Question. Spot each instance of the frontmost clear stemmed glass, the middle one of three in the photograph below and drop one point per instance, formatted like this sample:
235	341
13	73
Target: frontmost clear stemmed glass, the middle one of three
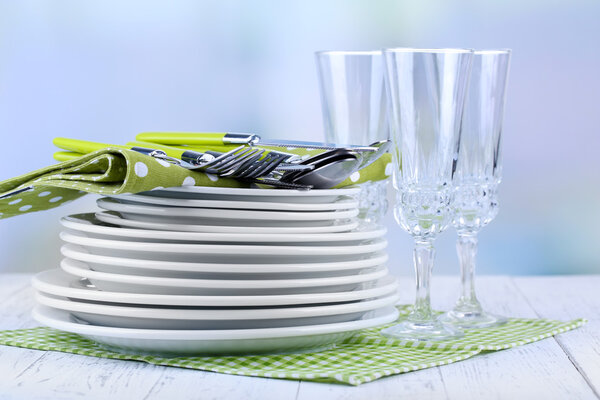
426	88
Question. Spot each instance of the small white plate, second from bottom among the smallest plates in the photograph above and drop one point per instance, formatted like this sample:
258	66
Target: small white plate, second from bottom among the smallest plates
225	216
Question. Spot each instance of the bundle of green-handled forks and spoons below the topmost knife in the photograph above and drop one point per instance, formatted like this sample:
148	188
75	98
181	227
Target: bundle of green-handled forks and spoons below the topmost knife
253	164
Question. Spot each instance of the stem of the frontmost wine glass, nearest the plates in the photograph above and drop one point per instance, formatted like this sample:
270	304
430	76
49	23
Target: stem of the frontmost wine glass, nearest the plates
423	258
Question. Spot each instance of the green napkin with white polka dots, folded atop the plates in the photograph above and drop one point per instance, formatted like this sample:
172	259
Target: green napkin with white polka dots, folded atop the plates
118	171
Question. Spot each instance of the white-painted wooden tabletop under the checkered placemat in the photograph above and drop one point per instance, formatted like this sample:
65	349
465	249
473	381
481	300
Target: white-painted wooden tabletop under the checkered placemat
565	367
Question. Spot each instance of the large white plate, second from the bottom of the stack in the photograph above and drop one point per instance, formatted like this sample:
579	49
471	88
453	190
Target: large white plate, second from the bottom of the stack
155	317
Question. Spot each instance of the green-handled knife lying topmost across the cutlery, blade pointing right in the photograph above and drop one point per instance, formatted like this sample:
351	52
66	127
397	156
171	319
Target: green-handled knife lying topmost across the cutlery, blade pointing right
225	138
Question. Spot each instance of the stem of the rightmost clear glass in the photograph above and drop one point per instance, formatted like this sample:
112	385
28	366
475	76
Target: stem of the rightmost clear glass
466	246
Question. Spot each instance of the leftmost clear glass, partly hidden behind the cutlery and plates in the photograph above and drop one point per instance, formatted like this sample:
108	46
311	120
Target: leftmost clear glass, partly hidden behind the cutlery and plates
354	108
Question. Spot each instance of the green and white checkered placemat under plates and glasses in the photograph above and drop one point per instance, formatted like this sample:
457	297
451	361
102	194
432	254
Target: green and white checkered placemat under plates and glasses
363	358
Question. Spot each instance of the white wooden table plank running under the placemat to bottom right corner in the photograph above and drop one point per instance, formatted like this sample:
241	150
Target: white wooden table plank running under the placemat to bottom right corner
539	370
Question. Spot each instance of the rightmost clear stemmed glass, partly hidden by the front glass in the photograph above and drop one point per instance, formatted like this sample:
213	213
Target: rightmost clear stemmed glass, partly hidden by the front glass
477	176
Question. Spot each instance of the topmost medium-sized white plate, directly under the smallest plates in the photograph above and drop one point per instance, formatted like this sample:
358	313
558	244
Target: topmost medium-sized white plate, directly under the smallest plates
92	227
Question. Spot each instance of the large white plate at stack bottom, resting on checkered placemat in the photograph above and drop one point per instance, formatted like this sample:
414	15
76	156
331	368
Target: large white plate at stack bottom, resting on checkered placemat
234	341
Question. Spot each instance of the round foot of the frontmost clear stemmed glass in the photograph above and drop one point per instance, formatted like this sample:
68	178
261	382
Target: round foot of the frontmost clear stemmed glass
421	331
